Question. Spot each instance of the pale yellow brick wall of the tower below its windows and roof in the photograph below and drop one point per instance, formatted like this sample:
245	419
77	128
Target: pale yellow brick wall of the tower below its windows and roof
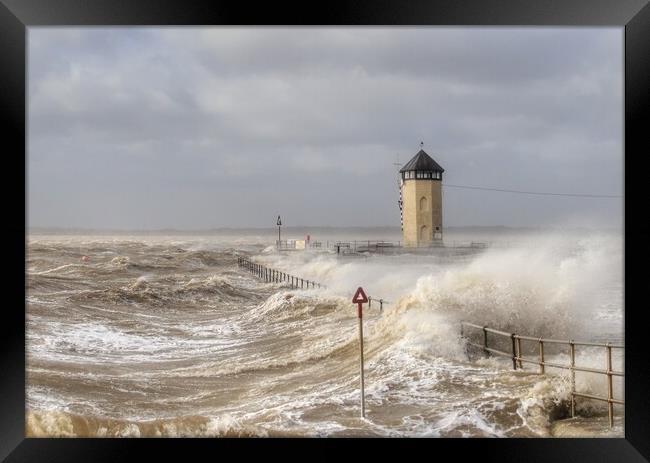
418	212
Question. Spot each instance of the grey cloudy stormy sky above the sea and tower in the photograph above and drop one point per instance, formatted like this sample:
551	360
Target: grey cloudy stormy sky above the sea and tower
195	128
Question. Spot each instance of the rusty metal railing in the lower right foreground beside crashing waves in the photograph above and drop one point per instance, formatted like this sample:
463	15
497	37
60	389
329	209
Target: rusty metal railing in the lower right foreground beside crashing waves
517	359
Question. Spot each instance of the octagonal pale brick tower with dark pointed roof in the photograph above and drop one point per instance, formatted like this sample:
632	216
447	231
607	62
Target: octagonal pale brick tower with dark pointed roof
421	200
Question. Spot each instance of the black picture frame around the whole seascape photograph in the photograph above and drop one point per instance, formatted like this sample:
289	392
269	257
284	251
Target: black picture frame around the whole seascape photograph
17	15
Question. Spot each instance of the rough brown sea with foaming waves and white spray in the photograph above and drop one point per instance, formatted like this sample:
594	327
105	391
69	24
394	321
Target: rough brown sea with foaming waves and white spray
168	337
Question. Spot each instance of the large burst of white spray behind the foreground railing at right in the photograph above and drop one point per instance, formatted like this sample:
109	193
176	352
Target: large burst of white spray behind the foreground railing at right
543	289
